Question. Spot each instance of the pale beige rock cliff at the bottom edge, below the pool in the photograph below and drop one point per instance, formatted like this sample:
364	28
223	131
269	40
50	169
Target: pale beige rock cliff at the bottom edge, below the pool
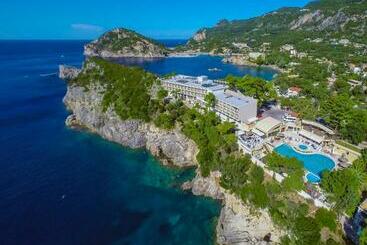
237	223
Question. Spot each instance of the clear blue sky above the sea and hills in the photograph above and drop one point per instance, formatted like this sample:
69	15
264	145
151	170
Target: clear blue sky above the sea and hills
87	19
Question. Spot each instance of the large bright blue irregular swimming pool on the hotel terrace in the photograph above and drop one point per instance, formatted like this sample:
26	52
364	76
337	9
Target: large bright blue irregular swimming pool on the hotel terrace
314	163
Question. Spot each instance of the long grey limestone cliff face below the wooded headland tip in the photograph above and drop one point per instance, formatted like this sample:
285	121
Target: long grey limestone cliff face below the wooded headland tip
171	147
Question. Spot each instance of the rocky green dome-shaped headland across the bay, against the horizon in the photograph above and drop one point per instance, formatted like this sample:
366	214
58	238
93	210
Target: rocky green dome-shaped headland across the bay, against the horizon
124	43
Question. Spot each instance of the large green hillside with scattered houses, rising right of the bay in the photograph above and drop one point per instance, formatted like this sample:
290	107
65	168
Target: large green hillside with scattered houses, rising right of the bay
322	50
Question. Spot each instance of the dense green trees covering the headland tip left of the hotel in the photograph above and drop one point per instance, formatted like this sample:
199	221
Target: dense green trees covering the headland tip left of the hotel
127	89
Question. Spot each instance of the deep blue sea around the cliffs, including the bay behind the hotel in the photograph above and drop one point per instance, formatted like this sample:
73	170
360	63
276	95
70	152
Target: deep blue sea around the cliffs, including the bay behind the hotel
62	186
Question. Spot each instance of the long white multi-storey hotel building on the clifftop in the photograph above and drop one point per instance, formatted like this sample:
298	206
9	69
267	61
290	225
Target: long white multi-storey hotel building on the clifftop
229	104
